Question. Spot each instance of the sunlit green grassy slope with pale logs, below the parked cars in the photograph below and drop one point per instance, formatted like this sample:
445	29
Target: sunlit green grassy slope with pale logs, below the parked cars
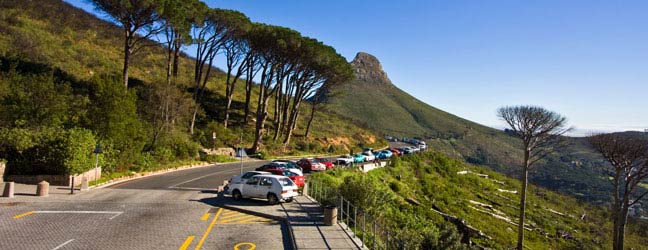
432	180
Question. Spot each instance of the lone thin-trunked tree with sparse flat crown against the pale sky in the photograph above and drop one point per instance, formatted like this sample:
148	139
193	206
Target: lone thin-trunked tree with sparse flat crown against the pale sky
539	130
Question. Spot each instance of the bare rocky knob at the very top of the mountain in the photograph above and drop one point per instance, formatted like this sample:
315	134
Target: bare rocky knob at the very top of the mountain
368	68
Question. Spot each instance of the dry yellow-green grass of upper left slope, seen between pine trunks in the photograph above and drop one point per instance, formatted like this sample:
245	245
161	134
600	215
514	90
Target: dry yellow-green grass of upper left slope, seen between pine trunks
55	33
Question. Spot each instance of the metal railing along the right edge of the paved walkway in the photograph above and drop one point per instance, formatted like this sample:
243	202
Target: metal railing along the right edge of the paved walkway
362	225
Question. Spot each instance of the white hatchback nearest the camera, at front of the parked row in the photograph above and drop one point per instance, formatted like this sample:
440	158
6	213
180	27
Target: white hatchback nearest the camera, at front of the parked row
275	188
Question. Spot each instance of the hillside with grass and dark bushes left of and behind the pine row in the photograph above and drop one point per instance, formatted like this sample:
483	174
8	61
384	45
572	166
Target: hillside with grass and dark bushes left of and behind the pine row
78	56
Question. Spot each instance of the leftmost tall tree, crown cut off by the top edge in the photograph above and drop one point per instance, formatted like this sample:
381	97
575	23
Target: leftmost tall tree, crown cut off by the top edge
138	19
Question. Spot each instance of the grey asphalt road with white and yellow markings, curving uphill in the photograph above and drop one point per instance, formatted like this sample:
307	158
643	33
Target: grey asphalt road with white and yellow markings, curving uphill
171	211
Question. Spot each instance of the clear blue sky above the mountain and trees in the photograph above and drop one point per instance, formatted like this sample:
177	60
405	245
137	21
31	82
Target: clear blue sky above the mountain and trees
587	60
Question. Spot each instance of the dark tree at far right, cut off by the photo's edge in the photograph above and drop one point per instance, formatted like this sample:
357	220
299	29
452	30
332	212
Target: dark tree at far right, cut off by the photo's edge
628	158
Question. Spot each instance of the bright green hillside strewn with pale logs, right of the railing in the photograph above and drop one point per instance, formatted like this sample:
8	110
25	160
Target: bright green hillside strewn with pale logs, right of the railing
404	194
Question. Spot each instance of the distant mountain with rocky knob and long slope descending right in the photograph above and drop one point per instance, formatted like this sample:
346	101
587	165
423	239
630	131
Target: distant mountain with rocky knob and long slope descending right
372	99
